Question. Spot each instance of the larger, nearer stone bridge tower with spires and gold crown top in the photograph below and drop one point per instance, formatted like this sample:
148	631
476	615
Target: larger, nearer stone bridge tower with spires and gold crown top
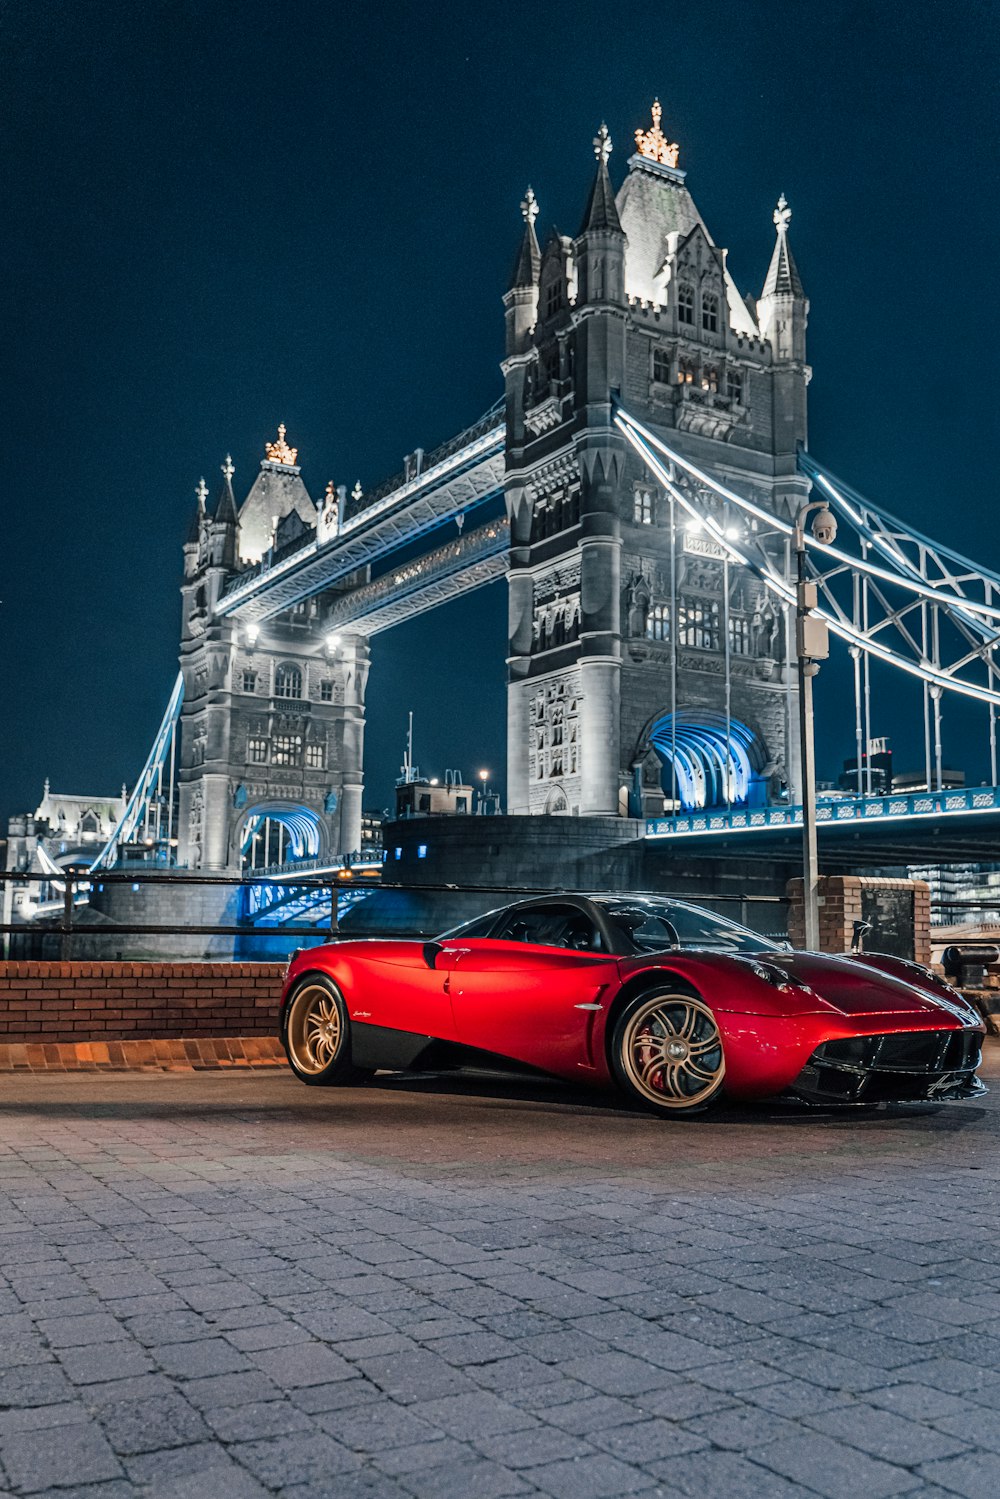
645	669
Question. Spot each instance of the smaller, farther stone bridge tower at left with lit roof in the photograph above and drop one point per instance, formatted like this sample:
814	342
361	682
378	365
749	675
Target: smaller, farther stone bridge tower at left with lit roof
274	716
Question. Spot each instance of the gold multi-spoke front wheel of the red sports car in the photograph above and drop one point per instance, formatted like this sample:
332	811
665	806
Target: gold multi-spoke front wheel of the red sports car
672	1052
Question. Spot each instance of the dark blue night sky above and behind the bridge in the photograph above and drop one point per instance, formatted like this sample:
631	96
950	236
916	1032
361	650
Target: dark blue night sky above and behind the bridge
221	217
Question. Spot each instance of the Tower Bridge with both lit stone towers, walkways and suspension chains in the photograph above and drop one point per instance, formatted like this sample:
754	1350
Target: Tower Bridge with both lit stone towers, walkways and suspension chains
638	485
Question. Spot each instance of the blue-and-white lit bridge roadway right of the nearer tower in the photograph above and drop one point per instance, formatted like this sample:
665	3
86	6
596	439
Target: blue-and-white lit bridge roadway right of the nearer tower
954	827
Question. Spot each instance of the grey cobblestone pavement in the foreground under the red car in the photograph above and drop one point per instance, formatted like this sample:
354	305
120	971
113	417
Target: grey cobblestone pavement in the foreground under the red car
232	1287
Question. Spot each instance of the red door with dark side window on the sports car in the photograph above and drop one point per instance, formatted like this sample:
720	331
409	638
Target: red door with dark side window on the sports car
533	990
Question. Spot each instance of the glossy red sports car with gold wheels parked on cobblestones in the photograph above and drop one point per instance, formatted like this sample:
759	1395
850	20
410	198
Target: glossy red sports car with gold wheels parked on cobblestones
671	1004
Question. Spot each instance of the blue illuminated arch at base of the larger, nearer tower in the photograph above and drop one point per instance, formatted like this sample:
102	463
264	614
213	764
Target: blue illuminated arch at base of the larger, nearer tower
716	764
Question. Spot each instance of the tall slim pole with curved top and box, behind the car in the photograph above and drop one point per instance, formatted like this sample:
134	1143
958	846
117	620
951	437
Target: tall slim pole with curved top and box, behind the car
812	645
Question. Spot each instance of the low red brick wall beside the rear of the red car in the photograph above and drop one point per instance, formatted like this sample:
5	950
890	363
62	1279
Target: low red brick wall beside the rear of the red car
110	1002
